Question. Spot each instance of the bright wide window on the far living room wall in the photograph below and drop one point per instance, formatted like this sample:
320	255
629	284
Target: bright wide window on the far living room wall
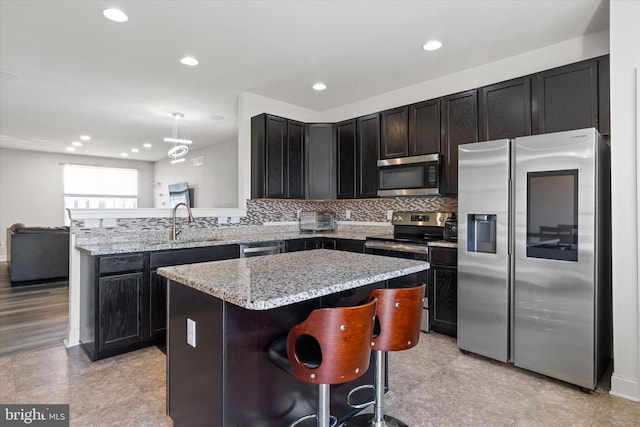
93	187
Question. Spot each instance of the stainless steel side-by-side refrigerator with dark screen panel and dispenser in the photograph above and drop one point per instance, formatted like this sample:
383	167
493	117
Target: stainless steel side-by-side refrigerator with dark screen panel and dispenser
534	253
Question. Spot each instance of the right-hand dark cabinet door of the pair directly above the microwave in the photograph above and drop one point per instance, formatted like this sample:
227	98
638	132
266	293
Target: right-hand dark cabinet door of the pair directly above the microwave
424	128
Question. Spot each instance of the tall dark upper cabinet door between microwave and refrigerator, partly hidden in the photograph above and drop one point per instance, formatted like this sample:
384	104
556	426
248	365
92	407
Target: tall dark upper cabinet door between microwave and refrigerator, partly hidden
459	126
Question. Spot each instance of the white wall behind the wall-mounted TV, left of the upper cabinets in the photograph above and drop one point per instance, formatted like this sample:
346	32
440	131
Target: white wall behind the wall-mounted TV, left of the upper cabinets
215	183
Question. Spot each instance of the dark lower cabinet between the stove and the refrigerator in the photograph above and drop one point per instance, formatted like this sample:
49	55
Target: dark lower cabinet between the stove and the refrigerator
443	290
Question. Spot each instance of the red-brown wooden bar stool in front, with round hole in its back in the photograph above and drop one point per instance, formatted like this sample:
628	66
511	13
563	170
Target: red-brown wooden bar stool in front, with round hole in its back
332	346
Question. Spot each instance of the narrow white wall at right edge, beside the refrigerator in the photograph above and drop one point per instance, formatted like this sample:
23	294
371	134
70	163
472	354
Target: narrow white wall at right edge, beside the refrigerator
625	183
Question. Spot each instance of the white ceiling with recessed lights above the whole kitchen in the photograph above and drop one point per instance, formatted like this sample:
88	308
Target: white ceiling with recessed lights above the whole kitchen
79	73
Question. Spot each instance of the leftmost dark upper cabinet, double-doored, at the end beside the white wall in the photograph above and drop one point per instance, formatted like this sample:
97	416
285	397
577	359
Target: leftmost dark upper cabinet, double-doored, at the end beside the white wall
277	157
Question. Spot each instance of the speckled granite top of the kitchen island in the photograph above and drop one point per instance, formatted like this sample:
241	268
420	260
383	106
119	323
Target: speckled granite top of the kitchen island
271	281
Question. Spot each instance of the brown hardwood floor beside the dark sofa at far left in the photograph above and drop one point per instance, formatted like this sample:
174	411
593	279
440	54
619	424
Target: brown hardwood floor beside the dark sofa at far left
32	316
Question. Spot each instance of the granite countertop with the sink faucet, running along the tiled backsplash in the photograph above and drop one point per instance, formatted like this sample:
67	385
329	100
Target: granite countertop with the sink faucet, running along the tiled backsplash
145	246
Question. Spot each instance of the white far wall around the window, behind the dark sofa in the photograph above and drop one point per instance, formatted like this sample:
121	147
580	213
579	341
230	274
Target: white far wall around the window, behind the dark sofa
31	187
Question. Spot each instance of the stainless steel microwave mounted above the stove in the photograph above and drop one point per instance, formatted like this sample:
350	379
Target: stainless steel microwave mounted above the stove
410	176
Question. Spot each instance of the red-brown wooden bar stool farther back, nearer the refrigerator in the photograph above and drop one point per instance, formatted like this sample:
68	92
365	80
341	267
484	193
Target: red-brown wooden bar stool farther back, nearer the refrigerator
398	320
